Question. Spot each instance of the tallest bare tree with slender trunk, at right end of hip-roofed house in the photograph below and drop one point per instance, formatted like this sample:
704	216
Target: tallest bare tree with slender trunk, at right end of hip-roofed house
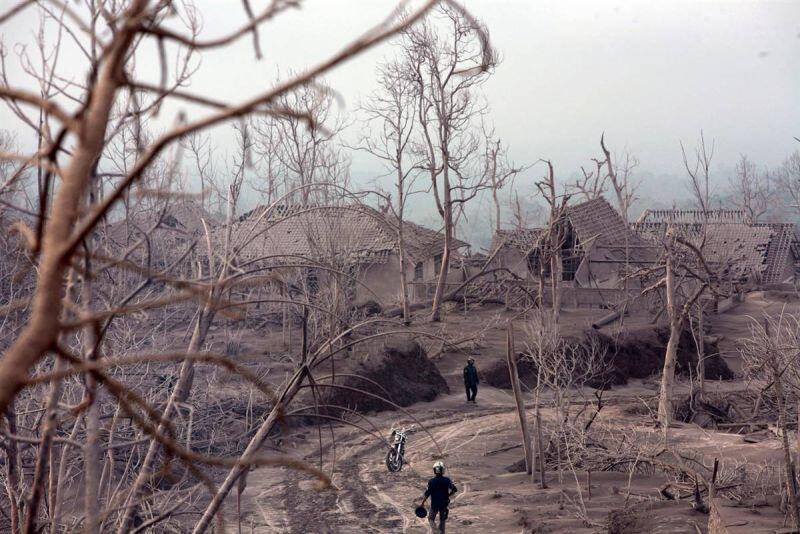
447	66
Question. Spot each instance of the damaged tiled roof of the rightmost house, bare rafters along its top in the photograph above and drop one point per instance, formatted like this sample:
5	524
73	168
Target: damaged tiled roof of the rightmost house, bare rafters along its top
755	254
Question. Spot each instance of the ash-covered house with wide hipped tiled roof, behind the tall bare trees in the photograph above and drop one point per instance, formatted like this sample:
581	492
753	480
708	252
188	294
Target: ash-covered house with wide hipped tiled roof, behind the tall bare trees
316	244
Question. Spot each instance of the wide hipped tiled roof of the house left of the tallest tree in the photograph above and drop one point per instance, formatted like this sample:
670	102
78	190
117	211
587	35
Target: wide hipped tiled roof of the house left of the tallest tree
326	232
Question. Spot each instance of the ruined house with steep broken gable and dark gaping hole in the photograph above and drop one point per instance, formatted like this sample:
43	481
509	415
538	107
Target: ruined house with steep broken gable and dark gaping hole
597	248
